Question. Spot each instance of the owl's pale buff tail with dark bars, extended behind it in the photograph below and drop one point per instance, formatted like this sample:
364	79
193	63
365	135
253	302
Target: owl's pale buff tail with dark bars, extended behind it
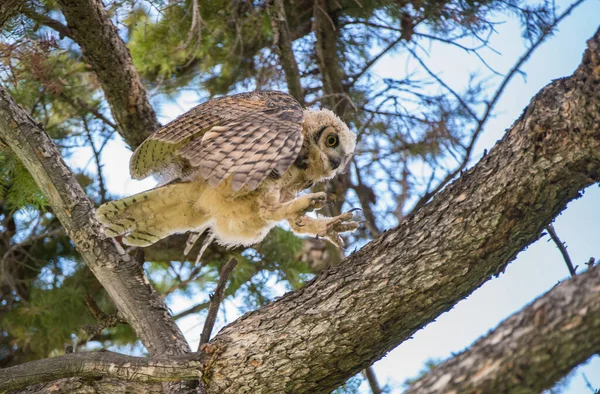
150	216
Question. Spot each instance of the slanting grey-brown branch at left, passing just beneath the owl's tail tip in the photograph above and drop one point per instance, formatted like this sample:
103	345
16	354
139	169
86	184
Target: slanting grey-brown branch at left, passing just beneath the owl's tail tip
121	276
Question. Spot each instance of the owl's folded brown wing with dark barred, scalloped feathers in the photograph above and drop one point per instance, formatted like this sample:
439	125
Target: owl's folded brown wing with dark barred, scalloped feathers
247	135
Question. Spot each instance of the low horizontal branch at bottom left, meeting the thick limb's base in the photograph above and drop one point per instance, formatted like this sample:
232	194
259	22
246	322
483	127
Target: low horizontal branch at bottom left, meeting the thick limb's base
104	364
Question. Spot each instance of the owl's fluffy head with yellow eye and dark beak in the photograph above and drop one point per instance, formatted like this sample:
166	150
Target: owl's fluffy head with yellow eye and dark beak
328	144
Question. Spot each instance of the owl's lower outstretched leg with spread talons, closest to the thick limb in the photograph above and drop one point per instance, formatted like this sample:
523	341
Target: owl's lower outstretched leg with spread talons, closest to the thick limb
329	228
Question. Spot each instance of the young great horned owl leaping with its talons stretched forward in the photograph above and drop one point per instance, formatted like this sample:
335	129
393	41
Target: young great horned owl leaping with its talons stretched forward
234	166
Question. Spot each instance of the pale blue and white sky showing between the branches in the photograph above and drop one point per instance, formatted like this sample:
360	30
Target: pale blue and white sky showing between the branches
535	271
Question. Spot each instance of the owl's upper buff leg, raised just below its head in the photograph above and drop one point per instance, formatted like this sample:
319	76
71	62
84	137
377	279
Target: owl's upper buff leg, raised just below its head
274	210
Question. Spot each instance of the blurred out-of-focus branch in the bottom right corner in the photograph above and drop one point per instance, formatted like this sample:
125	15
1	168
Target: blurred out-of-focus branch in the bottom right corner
532	349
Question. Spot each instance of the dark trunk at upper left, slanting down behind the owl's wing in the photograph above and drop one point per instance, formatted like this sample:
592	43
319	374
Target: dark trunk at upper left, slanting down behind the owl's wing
102	47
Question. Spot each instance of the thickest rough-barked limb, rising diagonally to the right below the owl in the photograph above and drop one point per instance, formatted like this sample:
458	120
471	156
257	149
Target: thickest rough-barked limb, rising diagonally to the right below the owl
313	339
